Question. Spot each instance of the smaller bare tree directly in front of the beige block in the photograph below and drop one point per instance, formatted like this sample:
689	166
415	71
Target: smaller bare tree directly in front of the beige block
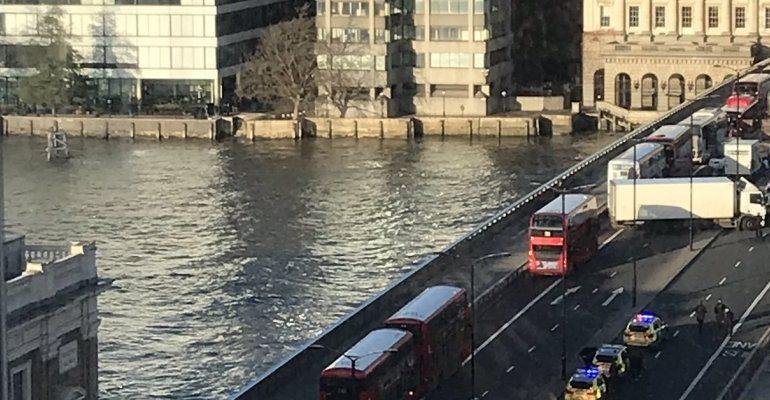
343	75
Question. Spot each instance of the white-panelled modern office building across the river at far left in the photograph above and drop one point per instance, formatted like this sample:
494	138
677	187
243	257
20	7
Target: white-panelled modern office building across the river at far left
152	52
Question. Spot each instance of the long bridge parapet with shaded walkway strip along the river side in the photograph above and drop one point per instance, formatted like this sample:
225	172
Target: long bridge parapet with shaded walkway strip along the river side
356	324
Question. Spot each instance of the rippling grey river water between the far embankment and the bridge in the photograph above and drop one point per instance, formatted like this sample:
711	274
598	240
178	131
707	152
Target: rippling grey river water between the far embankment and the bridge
228	256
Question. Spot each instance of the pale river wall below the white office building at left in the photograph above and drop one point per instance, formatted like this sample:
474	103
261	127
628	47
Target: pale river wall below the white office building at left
112	128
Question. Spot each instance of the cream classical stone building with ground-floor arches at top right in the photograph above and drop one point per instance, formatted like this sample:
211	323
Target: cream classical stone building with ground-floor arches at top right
654	54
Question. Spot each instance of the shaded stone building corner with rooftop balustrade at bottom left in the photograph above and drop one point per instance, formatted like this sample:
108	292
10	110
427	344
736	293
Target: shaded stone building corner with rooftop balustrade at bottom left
52	321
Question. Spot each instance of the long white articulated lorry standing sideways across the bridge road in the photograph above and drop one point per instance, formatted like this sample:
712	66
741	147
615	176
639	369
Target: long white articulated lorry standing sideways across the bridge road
718	198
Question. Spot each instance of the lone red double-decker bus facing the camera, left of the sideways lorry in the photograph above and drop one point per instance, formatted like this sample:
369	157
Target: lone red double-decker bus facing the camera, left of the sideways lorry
563	233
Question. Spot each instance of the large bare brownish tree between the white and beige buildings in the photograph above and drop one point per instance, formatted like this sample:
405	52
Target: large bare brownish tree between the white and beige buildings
284	65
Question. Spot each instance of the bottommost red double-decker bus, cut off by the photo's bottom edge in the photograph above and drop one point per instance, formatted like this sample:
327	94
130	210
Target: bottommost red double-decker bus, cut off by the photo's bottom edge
382	366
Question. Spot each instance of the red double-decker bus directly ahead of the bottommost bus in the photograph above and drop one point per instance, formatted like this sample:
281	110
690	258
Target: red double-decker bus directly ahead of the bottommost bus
440	322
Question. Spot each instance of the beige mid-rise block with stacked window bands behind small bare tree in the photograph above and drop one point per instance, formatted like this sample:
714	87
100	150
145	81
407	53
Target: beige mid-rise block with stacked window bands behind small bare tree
424	57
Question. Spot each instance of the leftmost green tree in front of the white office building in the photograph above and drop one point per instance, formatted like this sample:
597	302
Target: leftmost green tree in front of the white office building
57	80
